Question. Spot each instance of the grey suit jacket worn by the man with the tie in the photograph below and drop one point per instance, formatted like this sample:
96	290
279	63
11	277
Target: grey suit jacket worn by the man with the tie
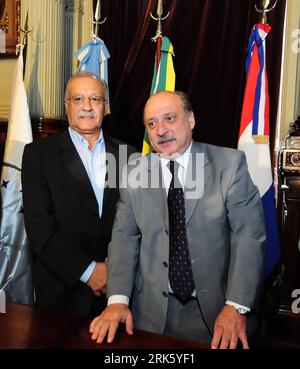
225	230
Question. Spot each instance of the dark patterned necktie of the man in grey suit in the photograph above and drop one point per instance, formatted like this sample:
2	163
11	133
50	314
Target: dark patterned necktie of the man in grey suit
180	268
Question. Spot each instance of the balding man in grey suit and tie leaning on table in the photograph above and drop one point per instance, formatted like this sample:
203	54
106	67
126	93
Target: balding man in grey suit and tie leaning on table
224	235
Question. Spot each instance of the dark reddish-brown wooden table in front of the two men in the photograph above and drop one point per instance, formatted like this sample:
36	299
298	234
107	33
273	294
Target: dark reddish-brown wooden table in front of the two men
27	327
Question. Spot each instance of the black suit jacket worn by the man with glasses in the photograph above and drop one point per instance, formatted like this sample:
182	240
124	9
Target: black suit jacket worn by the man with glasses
62	220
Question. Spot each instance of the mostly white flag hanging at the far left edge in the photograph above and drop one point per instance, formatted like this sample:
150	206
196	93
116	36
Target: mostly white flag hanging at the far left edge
15	256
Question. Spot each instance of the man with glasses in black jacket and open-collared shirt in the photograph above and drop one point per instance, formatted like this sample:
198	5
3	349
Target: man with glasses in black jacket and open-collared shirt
68	206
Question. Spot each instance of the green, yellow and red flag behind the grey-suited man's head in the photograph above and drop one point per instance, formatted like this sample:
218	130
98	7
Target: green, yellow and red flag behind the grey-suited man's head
163	76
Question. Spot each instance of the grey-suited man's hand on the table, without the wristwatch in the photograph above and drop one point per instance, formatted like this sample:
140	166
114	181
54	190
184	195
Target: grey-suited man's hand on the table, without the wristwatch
108	322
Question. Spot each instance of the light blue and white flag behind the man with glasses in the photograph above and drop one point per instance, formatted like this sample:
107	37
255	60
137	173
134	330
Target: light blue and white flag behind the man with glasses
93	57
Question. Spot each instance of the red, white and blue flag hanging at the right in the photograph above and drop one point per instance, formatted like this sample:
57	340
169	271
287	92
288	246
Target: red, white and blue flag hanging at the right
254	137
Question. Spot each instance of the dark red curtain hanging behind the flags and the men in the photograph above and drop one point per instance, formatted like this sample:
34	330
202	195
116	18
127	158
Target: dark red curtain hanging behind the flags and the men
210	40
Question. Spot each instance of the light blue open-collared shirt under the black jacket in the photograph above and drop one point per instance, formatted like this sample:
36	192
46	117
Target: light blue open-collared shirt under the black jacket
95	165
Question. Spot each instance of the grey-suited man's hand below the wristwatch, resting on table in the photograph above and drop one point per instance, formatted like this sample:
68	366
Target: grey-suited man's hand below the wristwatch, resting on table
230	326
